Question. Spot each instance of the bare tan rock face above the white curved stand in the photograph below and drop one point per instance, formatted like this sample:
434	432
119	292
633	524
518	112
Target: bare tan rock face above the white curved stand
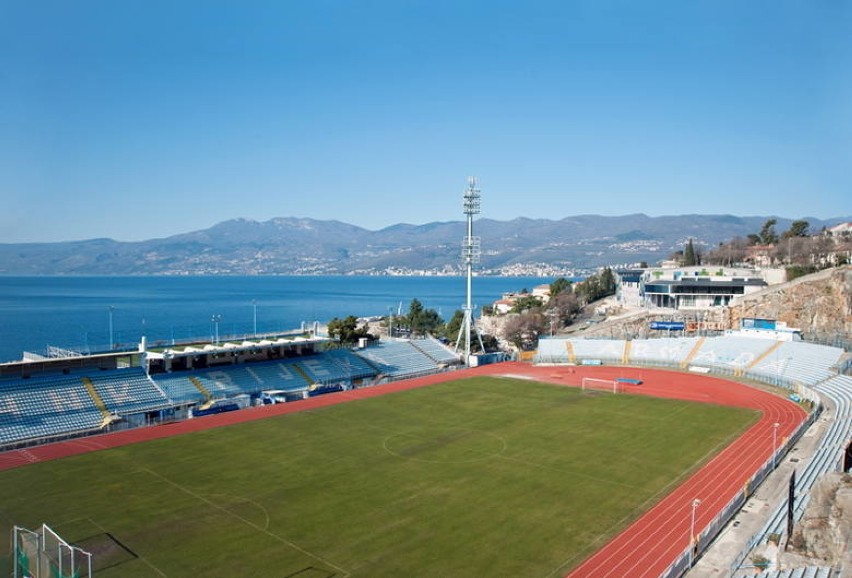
819	304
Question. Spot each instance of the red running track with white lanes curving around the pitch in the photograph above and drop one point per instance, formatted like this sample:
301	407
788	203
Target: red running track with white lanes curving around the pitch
645	548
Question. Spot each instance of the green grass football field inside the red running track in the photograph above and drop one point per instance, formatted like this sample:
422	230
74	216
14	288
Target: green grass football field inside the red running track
478	477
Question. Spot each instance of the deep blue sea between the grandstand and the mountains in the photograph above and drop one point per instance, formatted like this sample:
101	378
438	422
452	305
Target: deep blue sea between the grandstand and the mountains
81	313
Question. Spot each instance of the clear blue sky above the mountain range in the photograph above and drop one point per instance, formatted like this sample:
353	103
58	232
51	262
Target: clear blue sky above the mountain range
135	119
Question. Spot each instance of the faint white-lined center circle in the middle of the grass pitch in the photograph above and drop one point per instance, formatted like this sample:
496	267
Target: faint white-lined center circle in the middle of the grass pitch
446	446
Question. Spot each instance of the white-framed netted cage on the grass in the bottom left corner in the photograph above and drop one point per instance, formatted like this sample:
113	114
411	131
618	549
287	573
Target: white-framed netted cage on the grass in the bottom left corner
44	554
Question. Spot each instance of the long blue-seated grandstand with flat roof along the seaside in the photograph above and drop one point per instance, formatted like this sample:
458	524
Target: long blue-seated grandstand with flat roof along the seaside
82	399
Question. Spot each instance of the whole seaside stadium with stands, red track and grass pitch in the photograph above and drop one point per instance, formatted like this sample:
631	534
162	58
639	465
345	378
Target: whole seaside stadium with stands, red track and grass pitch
467	466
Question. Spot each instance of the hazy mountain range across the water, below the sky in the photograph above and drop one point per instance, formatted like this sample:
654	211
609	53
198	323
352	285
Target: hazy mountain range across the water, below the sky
308	246
